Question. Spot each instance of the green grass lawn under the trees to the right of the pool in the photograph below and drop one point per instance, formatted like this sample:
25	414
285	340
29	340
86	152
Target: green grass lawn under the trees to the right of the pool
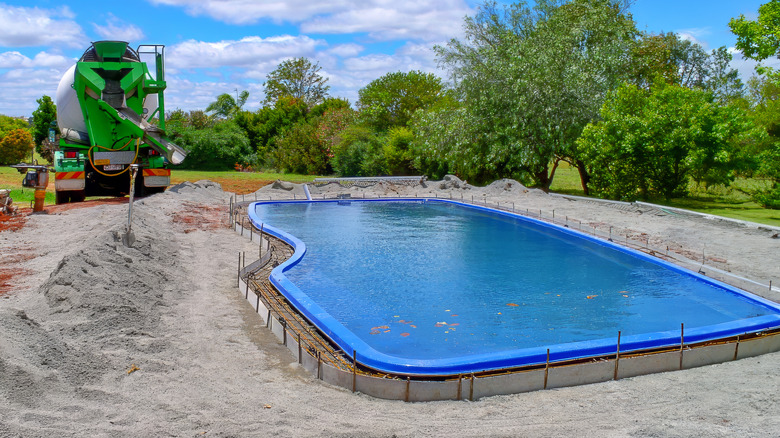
732	201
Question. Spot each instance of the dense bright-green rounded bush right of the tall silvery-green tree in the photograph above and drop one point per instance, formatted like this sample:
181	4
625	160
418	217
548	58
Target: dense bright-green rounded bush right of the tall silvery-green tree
651	143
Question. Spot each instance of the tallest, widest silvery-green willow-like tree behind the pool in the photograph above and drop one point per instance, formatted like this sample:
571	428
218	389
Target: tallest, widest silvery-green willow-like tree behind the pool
529	79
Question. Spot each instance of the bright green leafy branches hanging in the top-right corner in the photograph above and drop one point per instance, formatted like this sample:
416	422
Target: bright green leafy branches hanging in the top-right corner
759	39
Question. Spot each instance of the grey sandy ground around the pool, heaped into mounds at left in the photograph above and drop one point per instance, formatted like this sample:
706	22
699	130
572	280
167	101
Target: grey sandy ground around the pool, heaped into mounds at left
155	340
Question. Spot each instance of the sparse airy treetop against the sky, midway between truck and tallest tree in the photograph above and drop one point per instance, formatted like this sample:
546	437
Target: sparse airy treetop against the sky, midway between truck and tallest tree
297	78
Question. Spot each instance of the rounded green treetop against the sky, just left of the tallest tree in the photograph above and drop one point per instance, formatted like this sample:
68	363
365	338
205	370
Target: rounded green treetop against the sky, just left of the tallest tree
392	99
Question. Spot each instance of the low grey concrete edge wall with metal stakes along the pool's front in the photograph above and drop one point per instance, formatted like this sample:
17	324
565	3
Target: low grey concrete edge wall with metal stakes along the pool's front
468	387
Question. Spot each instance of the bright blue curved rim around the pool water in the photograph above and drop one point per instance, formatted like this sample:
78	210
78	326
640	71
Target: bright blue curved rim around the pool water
366	355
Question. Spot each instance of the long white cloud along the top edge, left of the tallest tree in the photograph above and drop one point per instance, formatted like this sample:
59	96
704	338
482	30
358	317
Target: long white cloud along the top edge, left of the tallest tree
383	20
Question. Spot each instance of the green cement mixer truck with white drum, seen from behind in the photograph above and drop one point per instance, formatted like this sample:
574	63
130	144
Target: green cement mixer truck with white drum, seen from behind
111	119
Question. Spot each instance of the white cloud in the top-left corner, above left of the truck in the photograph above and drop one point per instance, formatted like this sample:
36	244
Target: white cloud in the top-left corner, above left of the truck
30	27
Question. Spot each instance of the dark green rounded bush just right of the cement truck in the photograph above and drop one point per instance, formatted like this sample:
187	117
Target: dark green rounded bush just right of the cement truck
218	147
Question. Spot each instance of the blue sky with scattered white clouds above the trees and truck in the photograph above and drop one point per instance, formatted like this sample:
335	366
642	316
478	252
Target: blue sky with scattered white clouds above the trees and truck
219	46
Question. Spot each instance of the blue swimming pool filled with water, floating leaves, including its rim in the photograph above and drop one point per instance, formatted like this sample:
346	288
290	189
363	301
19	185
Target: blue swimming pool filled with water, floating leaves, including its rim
440	288
